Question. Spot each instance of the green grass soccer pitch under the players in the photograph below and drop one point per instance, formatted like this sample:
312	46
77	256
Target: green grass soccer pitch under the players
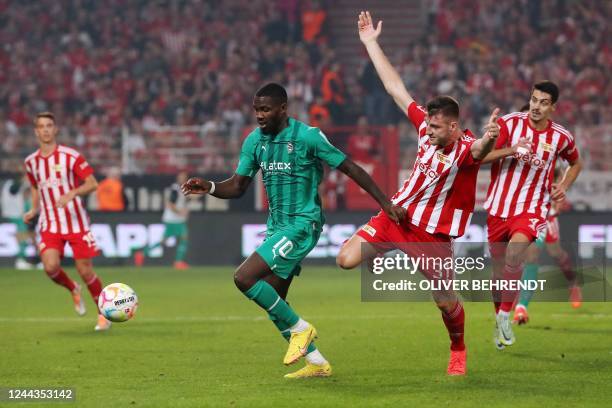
196	341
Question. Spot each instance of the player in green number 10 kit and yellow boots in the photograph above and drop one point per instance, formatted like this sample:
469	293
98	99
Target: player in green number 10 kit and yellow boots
290	155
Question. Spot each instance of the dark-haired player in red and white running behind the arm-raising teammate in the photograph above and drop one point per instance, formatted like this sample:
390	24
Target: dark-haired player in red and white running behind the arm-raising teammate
521	190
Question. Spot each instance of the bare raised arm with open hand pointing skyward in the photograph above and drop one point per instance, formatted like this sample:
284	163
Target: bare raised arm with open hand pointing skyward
388	75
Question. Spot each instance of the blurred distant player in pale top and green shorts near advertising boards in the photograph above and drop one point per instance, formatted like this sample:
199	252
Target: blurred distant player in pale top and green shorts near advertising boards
174	218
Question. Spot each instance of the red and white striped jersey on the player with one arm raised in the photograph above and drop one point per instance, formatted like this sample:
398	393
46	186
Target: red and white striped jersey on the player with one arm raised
440	192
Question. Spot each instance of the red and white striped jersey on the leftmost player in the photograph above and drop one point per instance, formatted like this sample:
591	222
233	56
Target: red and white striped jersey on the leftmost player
54	176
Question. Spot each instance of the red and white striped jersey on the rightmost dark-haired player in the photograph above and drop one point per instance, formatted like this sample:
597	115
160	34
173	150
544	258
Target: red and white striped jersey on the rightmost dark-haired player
522	183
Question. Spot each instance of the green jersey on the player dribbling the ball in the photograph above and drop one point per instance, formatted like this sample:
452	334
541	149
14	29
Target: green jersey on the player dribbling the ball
292	168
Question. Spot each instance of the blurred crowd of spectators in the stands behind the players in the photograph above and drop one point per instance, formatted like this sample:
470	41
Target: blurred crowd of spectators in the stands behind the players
102	66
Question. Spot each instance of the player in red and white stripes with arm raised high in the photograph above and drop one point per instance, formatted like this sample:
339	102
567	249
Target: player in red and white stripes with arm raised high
438	195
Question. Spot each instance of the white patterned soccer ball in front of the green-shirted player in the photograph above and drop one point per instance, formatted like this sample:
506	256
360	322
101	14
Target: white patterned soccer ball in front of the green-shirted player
118	302
